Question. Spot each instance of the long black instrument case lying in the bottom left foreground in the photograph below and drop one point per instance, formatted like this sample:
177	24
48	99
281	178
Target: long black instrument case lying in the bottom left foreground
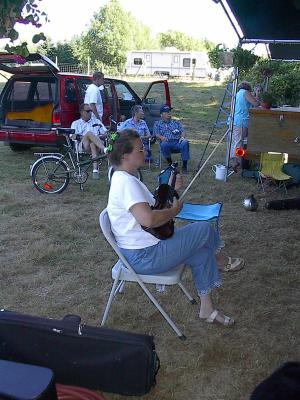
96	358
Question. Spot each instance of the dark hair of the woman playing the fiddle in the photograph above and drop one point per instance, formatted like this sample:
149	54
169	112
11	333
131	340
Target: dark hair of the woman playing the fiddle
122	145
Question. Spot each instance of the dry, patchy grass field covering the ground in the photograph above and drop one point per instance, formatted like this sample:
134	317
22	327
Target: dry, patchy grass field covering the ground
55	261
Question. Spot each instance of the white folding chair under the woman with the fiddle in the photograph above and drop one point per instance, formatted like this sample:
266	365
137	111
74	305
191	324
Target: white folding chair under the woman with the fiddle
123	272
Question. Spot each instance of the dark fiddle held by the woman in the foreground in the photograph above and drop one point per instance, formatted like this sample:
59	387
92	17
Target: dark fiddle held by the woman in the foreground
163	196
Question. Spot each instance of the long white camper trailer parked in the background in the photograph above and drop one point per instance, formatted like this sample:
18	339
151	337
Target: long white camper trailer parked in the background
173	63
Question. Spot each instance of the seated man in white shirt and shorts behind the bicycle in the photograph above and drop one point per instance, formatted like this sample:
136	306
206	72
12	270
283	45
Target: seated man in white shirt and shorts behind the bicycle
90	129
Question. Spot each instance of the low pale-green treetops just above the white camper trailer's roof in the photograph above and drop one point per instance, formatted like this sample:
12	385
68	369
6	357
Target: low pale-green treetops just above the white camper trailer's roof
182	41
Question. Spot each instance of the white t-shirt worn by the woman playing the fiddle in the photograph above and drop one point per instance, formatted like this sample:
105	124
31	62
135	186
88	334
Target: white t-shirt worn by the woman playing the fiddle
125	191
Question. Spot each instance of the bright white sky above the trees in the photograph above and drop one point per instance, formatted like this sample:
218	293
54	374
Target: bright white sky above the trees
198	18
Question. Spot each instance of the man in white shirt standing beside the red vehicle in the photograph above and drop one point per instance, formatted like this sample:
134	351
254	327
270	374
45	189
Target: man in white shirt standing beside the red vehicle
93	95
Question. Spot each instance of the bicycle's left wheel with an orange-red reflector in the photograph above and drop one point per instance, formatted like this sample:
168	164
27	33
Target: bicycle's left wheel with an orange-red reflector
50	175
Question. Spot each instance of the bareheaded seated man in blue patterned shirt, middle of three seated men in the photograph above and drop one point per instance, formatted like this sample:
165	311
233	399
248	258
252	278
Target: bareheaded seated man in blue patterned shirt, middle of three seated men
140	126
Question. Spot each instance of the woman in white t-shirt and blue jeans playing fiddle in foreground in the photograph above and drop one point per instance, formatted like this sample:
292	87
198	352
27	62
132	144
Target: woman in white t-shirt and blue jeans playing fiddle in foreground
129	208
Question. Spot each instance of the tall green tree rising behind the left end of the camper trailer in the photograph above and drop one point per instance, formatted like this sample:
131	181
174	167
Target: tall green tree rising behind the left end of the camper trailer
112	32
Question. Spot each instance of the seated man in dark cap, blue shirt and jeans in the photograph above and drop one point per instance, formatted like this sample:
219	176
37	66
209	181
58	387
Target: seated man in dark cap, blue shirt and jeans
172	138
